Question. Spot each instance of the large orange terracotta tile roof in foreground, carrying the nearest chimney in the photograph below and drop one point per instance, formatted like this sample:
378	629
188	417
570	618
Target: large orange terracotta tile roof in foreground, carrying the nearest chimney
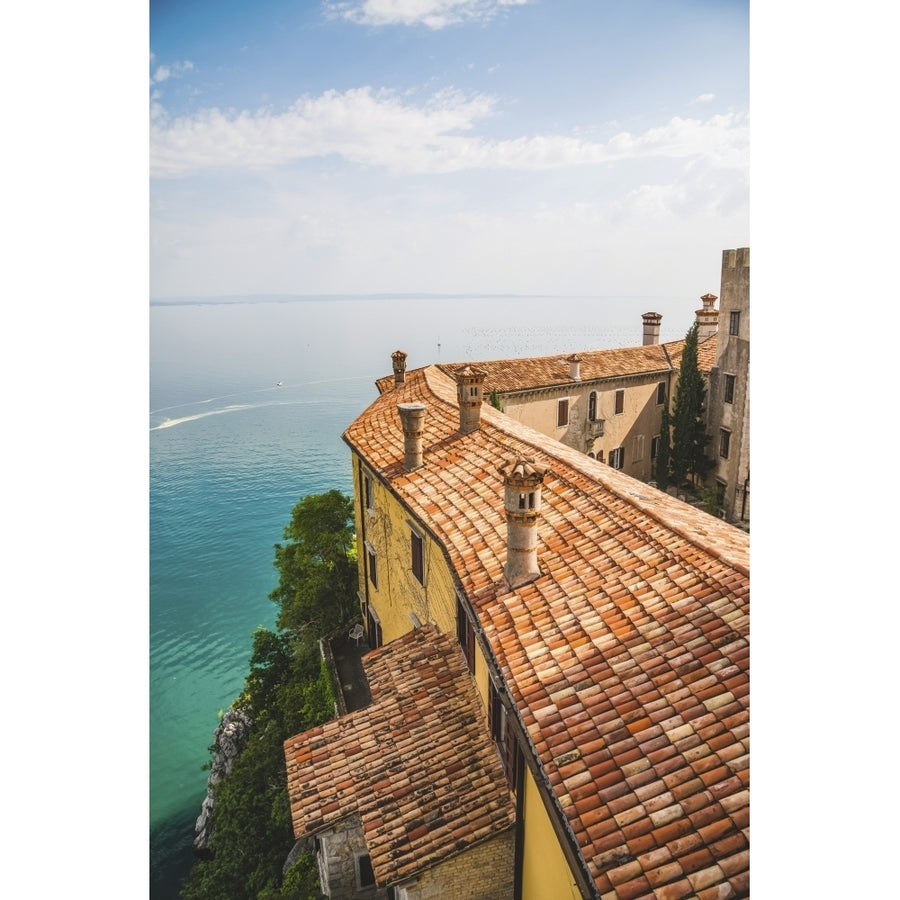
627	657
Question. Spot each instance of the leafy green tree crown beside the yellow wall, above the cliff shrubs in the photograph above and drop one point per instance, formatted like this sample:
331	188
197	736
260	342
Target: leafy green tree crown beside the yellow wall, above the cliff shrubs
317	585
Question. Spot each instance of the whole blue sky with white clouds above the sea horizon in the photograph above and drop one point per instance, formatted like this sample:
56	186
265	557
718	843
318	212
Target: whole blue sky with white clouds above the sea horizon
569	147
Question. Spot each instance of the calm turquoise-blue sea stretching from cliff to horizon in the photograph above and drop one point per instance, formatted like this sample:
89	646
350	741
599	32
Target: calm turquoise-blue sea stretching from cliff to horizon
249	397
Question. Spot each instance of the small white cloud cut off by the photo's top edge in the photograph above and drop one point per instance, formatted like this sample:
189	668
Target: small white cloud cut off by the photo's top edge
434	14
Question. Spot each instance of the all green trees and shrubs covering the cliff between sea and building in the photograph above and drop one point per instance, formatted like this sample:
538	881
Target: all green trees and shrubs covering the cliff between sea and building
287	691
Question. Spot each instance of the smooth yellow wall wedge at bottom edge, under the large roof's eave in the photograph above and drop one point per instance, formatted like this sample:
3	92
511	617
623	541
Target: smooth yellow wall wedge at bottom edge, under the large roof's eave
545	872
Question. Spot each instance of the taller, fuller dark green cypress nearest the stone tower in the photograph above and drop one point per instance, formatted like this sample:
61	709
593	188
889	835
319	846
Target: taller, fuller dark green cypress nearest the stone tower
689	437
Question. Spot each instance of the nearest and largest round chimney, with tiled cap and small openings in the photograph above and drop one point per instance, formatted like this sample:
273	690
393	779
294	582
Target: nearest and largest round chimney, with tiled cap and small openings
522	504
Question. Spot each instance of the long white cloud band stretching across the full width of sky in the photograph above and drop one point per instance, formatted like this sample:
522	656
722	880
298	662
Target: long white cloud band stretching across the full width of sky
375	128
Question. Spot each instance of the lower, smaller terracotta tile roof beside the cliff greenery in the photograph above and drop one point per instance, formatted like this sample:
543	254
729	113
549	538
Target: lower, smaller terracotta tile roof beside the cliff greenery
417	766
